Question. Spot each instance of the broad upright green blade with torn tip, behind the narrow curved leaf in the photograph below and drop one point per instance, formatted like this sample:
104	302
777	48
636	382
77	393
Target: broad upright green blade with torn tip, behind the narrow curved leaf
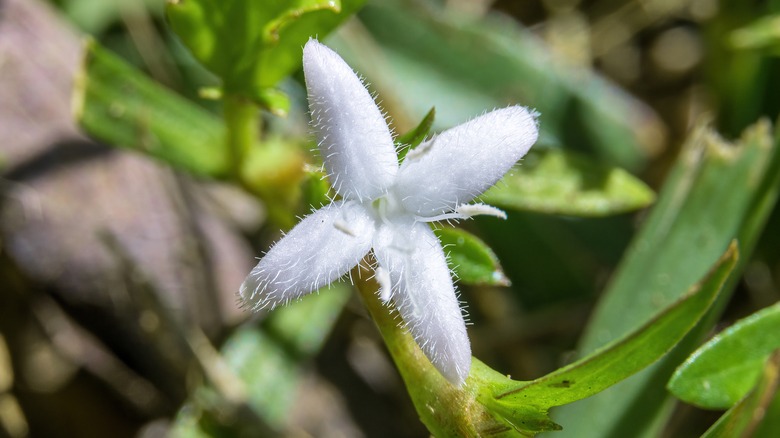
715	192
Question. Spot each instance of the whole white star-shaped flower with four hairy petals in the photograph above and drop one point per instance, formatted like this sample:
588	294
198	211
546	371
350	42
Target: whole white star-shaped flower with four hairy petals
384	207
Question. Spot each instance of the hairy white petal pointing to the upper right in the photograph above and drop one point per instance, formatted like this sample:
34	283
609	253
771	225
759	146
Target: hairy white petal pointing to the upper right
459	164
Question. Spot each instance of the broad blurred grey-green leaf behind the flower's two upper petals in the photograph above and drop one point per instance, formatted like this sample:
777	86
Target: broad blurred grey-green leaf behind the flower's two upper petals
492	62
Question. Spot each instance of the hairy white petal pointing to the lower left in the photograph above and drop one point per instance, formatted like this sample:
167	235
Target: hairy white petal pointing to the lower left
320	249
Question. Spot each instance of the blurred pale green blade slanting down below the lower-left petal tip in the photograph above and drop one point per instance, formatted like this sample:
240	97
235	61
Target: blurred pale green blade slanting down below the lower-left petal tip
263	370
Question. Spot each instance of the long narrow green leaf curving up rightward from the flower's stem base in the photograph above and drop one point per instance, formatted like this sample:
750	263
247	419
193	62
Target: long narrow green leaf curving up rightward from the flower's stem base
619	359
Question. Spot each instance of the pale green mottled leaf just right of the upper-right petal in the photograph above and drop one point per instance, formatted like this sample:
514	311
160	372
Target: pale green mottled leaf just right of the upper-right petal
562	182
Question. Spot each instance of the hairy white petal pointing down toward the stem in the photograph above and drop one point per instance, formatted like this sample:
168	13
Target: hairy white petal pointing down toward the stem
423	293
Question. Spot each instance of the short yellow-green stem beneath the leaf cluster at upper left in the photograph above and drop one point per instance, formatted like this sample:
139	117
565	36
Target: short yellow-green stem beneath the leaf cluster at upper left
243	131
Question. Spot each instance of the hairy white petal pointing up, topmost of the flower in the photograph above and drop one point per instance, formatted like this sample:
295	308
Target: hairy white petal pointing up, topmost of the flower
354	139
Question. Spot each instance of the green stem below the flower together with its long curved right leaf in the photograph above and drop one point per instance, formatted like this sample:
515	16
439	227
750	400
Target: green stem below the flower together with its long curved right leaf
491	404
